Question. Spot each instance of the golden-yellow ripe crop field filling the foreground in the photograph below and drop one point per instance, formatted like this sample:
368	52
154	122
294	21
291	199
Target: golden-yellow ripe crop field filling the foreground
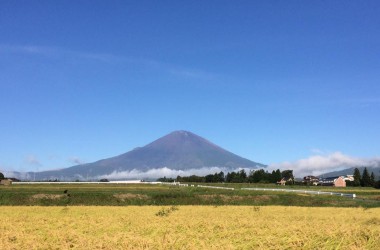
189	227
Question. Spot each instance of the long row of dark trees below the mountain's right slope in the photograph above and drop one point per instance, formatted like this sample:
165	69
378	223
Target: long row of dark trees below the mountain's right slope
257	176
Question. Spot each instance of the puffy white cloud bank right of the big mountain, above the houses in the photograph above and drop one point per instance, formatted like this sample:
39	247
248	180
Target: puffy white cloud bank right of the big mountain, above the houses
319	164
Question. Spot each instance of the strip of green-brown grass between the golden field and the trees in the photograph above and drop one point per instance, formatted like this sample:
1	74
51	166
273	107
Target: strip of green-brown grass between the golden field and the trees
146	194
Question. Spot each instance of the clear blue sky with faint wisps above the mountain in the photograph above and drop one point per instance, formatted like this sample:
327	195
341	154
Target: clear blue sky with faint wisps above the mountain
272	81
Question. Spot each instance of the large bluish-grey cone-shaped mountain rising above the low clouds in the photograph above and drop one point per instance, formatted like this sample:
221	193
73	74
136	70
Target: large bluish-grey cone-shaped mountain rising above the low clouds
179	150
